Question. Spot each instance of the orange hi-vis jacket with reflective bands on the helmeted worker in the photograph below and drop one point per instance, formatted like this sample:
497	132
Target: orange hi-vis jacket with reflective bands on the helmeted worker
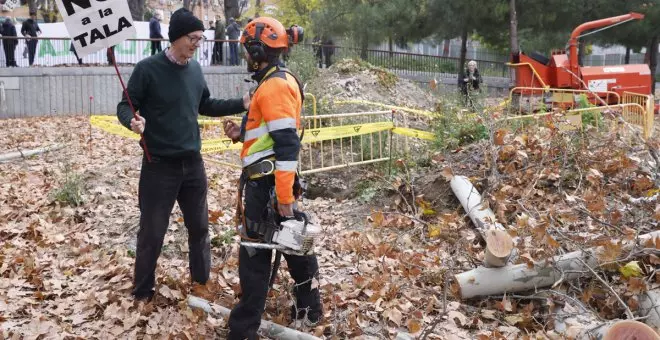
272	127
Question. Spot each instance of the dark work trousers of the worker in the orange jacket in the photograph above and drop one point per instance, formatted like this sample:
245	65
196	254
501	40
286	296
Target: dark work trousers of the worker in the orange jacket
254	272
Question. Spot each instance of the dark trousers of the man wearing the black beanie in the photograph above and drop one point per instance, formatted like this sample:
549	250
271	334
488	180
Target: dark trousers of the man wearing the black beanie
162	182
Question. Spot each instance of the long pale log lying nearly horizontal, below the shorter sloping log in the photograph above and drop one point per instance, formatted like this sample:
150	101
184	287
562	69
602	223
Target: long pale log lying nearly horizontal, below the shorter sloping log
483	281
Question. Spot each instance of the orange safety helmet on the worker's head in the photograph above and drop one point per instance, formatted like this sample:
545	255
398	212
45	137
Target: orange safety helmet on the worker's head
267	31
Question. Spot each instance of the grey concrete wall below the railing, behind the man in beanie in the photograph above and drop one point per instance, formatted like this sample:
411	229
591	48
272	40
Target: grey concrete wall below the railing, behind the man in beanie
31	92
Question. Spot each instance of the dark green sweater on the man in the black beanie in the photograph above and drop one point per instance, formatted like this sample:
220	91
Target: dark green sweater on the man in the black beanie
170	97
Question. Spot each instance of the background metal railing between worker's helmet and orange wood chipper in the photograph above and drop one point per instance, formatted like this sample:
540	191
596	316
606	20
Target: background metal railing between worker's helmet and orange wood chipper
409	63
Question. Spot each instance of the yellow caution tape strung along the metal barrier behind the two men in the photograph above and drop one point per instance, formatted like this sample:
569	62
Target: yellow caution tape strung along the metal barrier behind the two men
111	125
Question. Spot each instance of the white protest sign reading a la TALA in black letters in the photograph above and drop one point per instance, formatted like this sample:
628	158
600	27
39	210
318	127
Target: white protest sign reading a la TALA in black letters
96	24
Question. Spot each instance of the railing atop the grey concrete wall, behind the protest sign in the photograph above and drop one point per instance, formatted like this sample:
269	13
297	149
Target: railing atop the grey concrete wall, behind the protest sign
58	52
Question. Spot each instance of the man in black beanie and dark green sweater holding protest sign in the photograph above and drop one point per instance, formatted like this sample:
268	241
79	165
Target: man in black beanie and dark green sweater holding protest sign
169	90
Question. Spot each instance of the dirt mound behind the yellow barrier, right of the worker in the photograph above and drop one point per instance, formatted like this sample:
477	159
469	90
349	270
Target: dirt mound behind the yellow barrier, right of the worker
353	79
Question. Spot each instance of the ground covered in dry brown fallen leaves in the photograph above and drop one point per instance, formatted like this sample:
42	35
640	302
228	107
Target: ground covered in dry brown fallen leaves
68	221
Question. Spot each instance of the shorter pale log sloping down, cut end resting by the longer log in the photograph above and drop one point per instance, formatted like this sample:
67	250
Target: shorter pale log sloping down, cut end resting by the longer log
499	244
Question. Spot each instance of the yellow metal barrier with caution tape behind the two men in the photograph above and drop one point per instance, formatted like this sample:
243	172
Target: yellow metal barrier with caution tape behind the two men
330	142
